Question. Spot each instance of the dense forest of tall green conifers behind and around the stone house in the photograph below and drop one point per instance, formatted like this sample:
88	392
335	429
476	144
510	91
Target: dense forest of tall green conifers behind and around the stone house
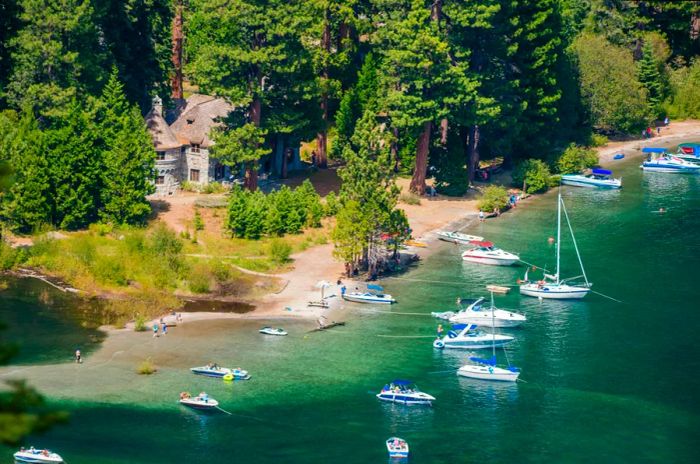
414	87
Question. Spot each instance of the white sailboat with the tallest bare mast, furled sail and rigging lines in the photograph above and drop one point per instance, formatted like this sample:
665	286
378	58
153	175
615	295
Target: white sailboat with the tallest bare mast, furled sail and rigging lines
552	286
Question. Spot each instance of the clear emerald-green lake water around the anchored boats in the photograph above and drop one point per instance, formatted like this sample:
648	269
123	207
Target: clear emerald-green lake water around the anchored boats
604	382
